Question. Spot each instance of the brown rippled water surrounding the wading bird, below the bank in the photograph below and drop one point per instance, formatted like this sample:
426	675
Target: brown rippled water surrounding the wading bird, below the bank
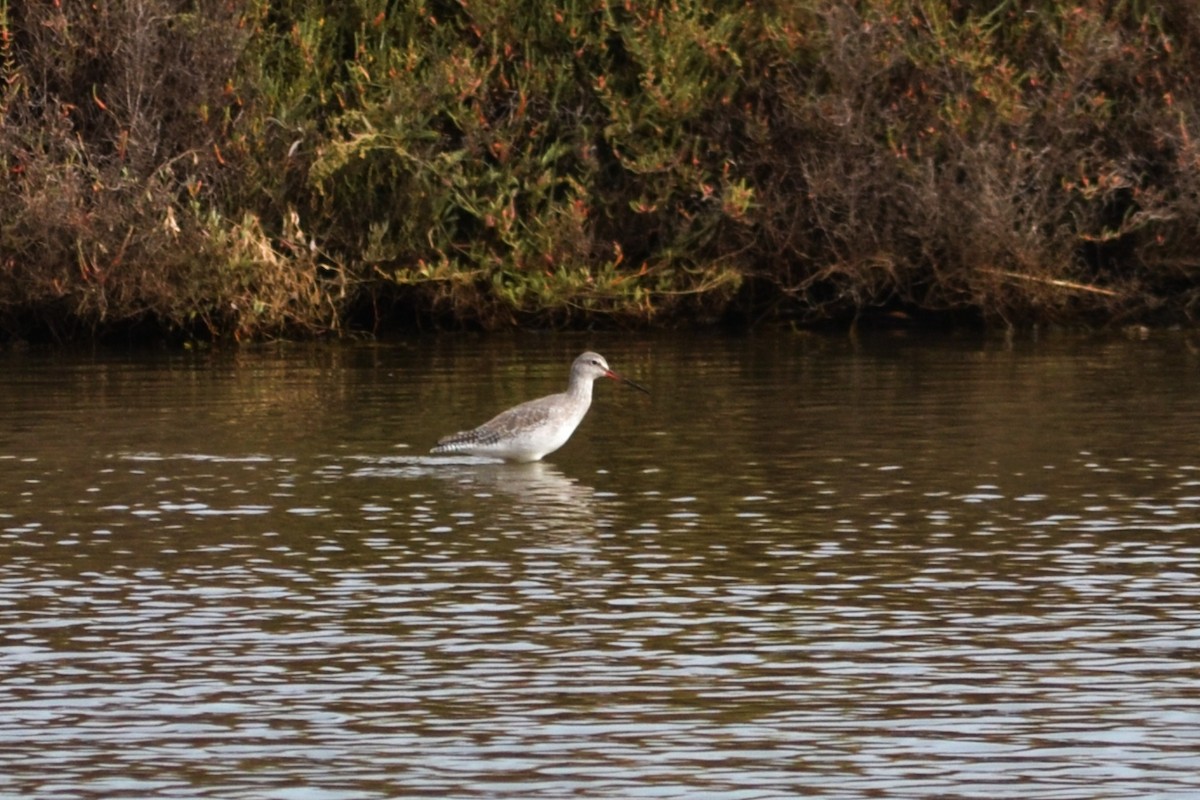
802	568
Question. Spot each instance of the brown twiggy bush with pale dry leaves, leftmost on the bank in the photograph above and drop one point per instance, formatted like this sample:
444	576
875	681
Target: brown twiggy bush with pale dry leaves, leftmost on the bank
122	152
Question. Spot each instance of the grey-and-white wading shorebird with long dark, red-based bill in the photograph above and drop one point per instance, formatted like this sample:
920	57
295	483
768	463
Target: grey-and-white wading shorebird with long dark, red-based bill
532	430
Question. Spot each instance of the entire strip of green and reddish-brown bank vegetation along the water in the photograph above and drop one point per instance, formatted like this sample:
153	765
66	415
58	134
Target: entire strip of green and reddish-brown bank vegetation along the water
291	167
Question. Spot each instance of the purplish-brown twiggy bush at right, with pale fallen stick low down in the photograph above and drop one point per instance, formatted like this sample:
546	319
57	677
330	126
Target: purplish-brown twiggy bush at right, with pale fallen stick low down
1033	161
